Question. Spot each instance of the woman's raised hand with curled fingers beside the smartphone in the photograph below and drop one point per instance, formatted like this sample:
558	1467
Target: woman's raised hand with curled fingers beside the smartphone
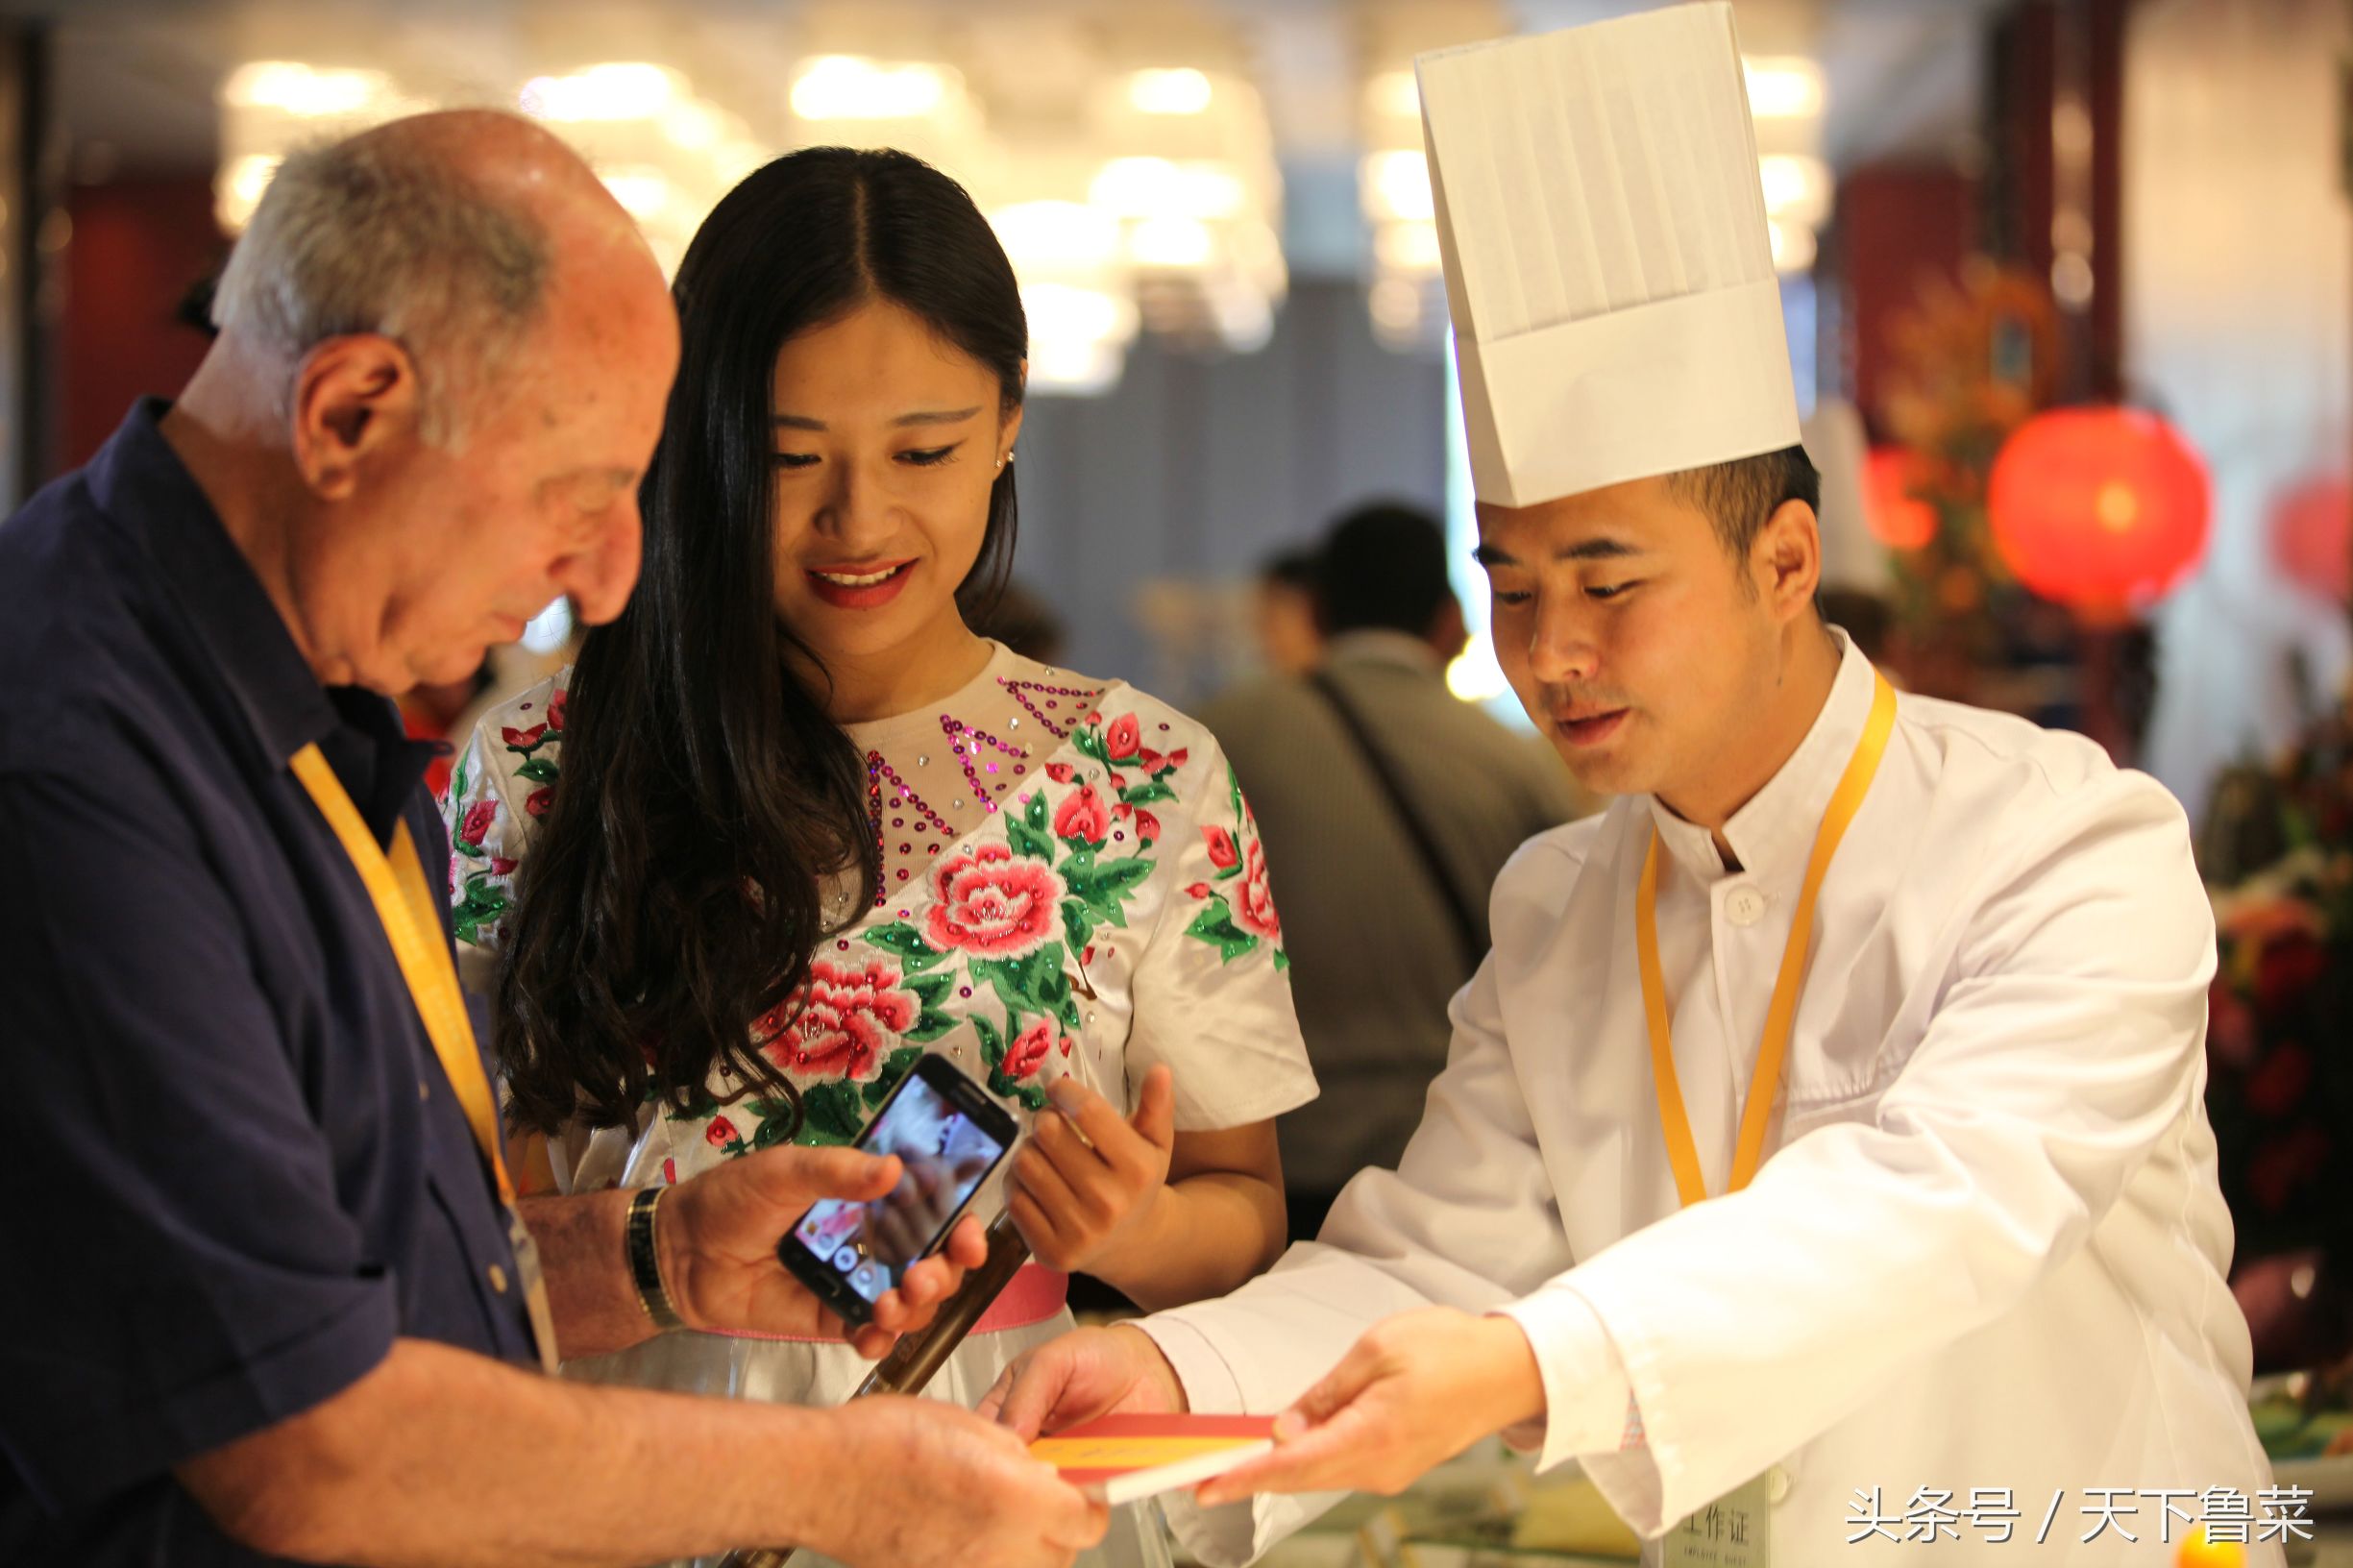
1086	1183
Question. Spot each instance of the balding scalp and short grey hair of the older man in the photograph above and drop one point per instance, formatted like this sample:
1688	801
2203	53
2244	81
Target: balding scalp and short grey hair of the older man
451	234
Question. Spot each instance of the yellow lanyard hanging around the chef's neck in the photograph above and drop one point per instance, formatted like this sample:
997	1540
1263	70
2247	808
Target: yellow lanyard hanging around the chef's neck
1785	997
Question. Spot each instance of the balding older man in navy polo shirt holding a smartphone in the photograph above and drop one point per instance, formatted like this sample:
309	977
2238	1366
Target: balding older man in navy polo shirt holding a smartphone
244	1315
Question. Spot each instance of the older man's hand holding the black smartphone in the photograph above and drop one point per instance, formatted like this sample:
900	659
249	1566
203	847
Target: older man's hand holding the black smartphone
719	1247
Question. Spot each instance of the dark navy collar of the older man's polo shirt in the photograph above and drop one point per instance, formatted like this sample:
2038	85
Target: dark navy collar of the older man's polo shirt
140	481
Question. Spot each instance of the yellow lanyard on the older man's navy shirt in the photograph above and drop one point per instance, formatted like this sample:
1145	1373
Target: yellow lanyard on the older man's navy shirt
413	924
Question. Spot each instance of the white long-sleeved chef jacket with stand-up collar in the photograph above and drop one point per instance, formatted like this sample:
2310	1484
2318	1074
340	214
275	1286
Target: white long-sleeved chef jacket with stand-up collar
1987	1247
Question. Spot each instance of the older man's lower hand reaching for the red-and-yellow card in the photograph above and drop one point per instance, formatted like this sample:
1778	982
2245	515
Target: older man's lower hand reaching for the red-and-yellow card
949	1491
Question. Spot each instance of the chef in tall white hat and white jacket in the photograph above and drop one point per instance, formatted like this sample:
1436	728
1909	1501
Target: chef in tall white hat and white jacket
1822	1157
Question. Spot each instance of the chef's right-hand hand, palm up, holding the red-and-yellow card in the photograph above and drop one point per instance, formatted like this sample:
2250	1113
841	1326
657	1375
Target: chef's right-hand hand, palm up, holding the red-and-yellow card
1411	1395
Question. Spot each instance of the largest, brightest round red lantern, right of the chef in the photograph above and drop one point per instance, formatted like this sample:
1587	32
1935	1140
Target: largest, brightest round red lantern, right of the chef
2102	510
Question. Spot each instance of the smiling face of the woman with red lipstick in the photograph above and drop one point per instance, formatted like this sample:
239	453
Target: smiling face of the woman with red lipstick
888	444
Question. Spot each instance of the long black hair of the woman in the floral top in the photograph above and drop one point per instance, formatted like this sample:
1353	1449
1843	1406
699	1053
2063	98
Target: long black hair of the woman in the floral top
674	886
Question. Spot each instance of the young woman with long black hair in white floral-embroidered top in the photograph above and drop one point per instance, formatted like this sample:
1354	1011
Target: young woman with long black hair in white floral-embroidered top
789	823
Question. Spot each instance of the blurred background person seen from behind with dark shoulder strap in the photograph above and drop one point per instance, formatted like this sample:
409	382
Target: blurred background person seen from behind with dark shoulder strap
1389	806
